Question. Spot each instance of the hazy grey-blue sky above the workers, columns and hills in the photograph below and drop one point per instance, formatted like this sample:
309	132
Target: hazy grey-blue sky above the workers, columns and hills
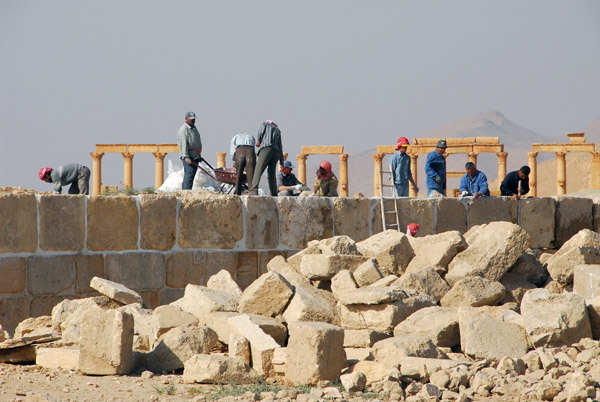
357	73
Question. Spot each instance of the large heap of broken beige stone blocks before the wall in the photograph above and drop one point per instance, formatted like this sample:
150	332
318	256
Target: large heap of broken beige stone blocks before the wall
440	317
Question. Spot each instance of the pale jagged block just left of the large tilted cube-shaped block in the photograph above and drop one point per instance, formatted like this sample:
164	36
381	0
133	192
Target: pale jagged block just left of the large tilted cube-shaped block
200	300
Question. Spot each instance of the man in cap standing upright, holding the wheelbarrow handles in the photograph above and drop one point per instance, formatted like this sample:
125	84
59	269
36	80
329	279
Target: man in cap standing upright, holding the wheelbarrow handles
190	149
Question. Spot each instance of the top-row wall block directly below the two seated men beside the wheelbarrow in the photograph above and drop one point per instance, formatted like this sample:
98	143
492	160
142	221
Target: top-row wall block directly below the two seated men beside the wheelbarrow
302	219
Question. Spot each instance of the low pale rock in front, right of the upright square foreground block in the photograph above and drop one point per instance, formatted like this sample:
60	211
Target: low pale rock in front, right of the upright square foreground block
391	351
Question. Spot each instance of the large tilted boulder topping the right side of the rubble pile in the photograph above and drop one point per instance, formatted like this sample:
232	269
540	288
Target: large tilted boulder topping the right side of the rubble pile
491	254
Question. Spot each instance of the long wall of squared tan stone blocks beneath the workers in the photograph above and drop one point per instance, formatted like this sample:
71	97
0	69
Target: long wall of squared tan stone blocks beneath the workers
52	245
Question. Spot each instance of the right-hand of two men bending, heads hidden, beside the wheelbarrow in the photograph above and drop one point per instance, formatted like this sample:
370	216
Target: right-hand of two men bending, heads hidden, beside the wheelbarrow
270	151
